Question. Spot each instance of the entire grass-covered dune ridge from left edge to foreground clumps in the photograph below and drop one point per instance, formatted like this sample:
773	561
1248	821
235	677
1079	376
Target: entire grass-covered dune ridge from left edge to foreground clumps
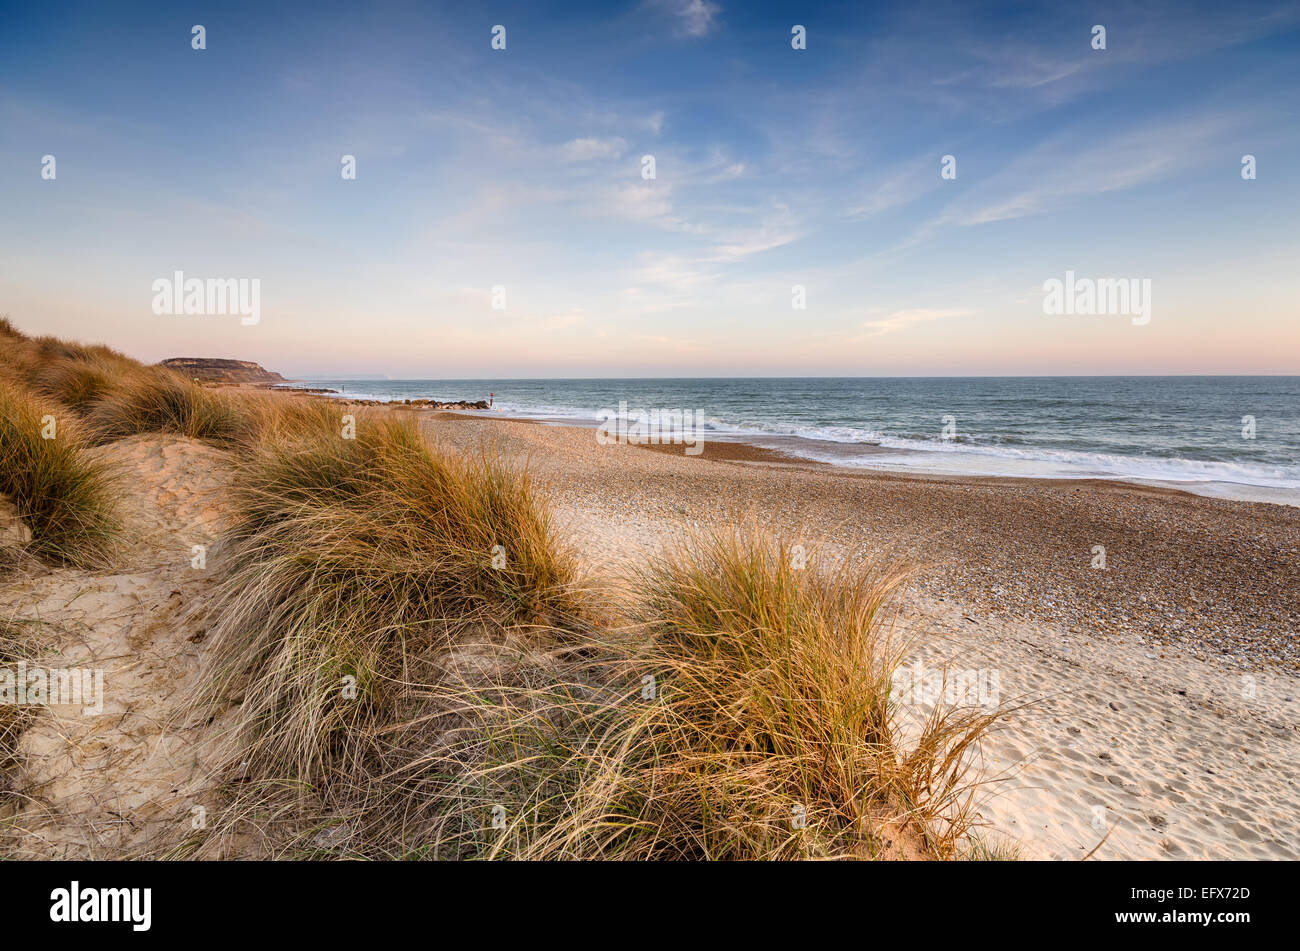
408	662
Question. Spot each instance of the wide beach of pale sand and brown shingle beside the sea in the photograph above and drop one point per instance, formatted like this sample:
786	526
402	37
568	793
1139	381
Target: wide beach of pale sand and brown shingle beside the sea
1164	689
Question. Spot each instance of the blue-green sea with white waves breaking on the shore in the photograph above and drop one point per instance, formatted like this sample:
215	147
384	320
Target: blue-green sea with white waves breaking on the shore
1230	437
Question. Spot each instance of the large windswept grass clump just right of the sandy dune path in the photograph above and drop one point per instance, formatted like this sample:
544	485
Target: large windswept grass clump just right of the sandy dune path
353	564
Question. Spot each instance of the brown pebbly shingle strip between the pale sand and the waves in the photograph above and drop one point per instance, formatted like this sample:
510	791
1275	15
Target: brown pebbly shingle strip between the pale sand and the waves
1208	577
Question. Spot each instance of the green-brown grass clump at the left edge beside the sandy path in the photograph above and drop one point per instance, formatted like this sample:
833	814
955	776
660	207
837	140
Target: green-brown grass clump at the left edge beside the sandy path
62	493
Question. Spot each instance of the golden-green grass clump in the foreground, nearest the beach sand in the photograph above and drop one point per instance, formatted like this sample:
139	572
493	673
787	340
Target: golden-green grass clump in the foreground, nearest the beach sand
770	732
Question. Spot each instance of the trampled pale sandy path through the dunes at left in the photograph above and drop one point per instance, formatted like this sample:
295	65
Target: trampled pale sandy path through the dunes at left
120	781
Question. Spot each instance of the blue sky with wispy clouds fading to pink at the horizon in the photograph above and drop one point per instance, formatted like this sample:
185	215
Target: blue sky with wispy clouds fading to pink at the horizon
774	168
